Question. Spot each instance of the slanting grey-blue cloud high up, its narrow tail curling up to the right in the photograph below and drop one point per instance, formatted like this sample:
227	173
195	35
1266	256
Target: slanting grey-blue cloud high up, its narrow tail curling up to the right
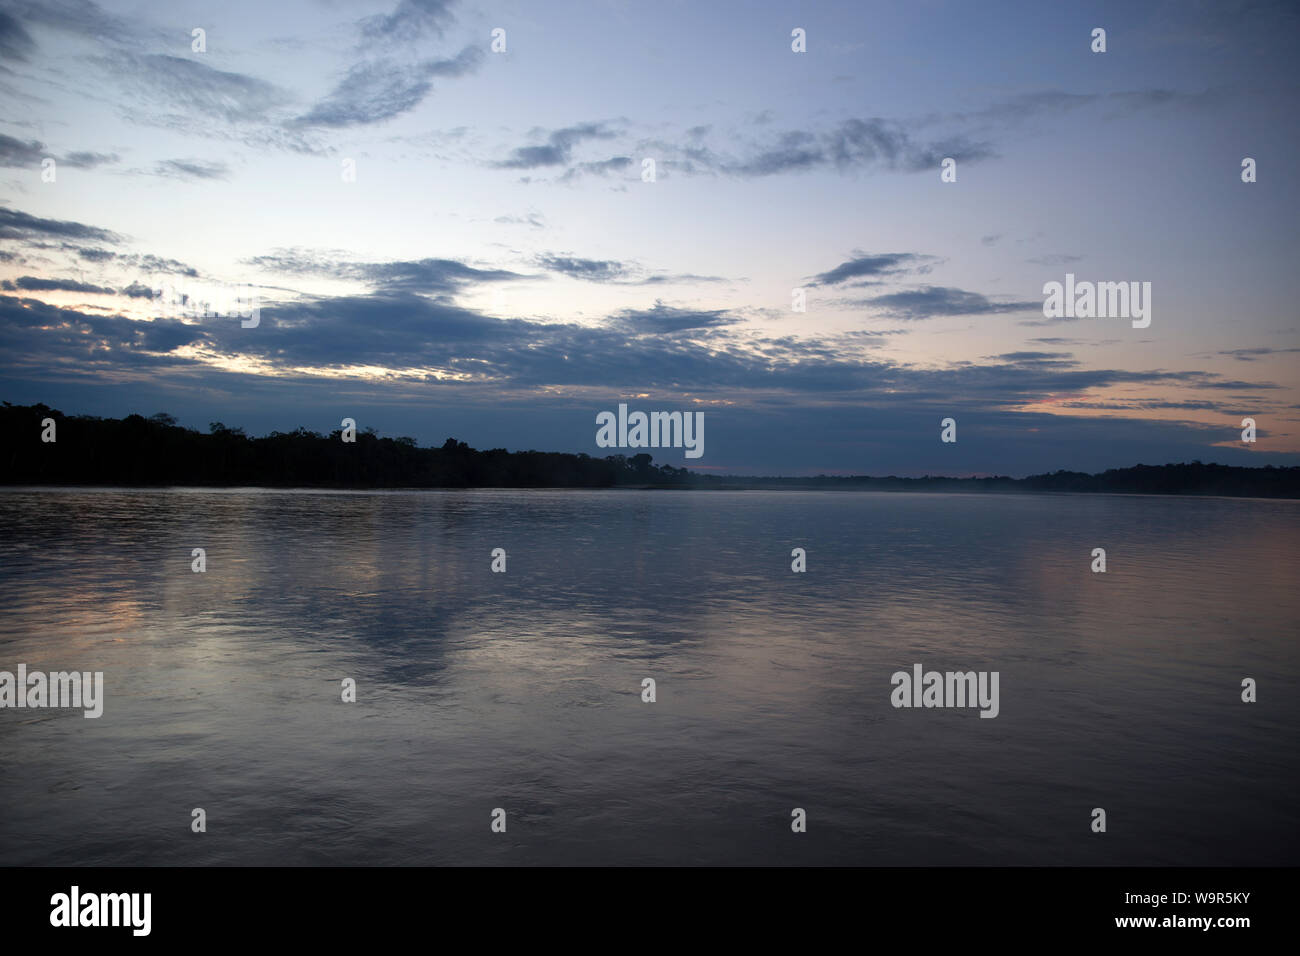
379	90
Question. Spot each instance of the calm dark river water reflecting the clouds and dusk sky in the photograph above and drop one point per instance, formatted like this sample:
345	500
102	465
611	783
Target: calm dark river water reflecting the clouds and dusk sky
523	690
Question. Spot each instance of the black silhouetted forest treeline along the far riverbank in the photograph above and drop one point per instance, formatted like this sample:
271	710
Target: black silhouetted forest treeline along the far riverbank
157	452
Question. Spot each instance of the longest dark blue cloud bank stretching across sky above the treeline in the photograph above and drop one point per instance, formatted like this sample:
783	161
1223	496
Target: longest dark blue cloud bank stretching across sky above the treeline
664	351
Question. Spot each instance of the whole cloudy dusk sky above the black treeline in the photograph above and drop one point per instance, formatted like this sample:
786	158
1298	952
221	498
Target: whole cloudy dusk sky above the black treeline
447	218
